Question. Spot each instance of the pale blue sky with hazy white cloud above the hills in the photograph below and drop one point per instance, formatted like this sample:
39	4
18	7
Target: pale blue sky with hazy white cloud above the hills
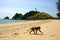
11	7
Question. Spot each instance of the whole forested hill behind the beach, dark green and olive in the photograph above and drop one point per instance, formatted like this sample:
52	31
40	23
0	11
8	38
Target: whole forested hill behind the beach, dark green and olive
32	15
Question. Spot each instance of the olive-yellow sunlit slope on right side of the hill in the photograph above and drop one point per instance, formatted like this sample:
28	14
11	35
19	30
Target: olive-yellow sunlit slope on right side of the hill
39	16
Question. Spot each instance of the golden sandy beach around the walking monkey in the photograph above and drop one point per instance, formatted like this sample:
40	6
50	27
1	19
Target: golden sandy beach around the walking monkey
16	31
